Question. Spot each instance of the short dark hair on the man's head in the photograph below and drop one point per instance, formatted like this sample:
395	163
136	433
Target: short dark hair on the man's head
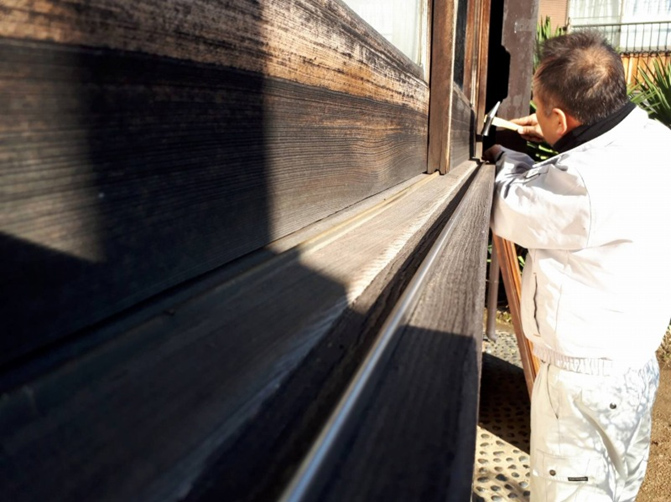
581	74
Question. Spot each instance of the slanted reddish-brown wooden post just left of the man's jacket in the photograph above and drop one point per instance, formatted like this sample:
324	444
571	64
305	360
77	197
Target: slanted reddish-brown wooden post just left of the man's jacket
510	271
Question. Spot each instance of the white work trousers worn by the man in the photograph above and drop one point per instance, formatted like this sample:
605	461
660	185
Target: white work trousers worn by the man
590	434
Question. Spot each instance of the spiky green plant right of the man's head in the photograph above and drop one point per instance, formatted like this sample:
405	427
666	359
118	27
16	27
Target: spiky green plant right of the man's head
653	91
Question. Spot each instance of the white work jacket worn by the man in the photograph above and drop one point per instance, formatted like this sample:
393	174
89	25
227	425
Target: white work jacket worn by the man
596	220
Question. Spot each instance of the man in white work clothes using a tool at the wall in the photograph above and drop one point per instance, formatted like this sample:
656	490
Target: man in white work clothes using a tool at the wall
596	288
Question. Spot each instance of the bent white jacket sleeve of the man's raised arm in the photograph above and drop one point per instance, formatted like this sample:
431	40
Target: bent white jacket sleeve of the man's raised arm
543	206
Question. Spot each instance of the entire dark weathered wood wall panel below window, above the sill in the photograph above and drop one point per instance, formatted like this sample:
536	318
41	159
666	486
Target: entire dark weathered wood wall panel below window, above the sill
142	145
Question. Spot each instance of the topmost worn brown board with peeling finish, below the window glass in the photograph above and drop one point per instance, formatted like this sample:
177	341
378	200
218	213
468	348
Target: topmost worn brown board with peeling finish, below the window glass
315	42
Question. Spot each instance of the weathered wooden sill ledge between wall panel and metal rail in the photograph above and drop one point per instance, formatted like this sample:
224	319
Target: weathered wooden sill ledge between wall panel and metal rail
138	418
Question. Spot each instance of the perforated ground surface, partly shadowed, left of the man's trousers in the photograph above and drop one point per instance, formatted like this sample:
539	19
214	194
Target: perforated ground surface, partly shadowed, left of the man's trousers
502	448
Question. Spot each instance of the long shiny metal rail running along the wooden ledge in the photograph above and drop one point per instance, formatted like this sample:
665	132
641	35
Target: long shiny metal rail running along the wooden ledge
309	477
